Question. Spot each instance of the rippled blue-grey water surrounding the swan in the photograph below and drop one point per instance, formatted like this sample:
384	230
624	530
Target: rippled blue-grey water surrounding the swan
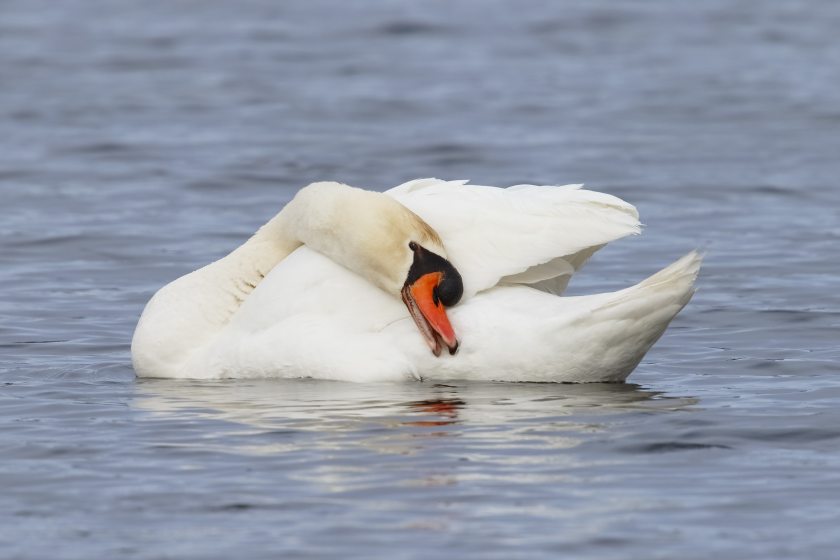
139	141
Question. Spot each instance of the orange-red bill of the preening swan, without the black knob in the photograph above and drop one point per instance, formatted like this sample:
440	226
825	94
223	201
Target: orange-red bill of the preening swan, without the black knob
429	314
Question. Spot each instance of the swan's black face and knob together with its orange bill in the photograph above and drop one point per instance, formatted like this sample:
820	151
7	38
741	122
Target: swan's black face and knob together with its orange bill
432	285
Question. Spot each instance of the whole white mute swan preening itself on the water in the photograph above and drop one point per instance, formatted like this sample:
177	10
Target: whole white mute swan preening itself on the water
322	290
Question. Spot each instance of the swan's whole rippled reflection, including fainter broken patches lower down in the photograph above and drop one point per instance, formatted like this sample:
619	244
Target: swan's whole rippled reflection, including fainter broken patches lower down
341	429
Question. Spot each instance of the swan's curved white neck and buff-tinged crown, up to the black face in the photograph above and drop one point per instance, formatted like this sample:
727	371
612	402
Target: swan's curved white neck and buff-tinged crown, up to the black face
364	231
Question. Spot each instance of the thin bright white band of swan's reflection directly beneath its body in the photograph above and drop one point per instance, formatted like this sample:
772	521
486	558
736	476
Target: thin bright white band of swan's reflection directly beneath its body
333	406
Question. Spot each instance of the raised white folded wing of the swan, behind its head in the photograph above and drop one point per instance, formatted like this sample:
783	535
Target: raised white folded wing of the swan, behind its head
526	234
